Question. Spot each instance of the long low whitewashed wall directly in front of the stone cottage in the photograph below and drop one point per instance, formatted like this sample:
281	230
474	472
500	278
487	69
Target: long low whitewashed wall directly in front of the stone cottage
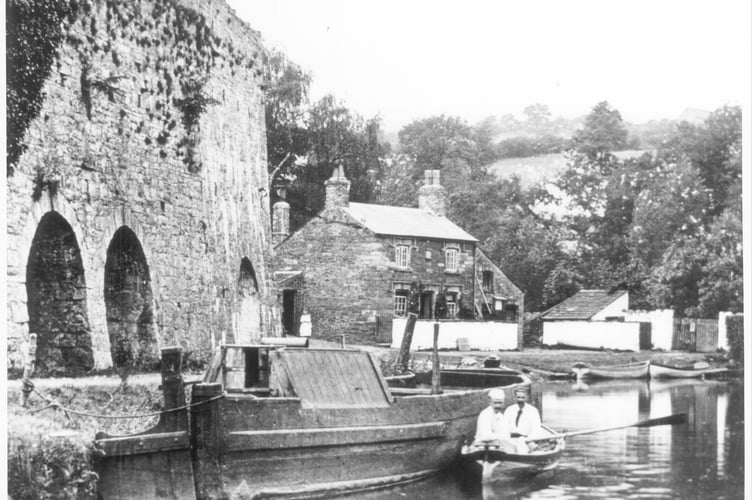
481	335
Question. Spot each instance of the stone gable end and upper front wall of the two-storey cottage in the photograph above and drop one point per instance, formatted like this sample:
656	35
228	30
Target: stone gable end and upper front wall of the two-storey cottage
349	274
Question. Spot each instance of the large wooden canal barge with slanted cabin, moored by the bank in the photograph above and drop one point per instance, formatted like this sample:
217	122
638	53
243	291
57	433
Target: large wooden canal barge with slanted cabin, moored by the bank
280	421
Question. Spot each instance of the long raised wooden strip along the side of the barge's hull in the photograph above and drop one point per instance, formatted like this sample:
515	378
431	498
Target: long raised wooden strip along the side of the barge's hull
332	436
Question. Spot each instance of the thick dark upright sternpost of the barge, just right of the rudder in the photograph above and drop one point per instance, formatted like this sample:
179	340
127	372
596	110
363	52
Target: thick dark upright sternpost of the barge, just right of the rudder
206	440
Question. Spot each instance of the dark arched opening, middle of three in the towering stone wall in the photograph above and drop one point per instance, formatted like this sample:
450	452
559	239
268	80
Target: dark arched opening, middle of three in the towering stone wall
129	302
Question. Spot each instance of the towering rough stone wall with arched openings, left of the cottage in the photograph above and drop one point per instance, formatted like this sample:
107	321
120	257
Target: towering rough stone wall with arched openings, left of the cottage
151	122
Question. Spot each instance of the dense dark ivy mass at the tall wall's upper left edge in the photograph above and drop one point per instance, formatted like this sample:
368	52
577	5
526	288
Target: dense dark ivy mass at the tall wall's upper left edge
33	32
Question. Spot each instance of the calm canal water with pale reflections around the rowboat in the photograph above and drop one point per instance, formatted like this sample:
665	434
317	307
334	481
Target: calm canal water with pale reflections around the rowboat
703	459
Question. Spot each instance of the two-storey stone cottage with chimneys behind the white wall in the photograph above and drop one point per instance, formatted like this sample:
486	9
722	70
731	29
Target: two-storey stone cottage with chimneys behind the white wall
352	266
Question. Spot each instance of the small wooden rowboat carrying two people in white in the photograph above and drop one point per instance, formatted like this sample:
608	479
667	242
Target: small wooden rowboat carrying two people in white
498	464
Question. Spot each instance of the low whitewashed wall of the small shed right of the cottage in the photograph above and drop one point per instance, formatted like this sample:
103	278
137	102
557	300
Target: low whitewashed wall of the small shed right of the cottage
593	334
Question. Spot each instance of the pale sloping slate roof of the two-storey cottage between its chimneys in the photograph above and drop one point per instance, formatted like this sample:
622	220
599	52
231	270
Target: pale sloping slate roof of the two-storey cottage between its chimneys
407	222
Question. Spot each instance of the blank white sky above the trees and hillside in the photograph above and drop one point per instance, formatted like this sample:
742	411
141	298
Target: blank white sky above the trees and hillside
411	59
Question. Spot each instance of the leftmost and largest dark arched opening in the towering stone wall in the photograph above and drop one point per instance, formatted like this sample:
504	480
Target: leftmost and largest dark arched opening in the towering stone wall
56	300
